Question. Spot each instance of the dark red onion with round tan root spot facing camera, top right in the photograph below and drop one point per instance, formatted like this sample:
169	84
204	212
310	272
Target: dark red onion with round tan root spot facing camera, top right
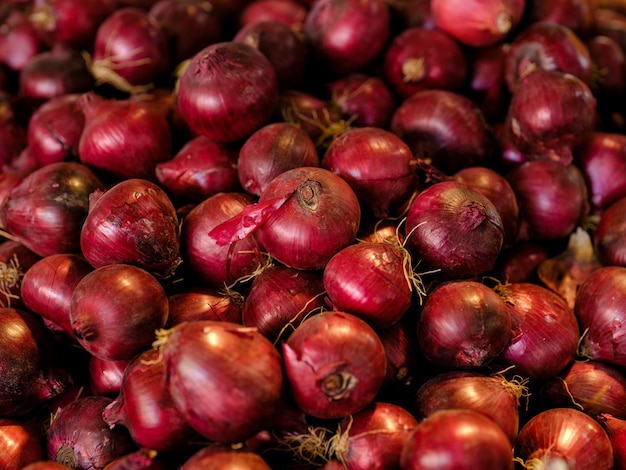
419	59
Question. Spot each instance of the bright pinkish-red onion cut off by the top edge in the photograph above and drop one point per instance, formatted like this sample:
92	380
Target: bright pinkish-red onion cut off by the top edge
477	23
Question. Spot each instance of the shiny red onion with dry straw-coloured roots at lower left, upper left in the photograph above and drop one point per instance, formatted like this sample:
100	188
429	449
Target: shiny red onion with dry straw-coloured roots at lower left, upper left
130	50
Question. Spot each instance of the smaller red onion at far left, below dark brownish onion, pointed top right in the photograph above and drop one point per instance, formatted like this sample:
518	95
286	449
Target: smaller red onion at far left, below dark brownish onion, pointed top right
54	130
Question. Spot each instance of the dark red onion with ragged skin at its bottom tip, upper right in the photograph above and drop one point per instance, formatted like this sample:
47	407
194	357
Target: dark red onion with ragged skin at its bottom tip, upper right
563	110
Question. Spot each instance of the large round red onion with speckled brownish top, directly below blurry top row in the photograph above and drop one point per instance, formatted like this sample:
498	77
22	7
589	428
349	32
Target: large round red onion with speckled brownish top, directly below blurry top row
209	94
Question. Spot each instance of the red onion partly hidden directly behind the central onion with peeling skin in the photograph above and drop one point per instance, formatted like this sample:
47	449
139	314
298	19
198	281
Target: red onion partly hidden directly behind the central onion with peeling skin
272	150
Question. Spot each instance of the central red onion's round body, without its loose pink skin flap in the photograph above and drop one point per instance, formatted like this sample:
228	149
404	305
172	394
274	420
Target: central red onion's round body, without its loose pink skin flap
321	217
